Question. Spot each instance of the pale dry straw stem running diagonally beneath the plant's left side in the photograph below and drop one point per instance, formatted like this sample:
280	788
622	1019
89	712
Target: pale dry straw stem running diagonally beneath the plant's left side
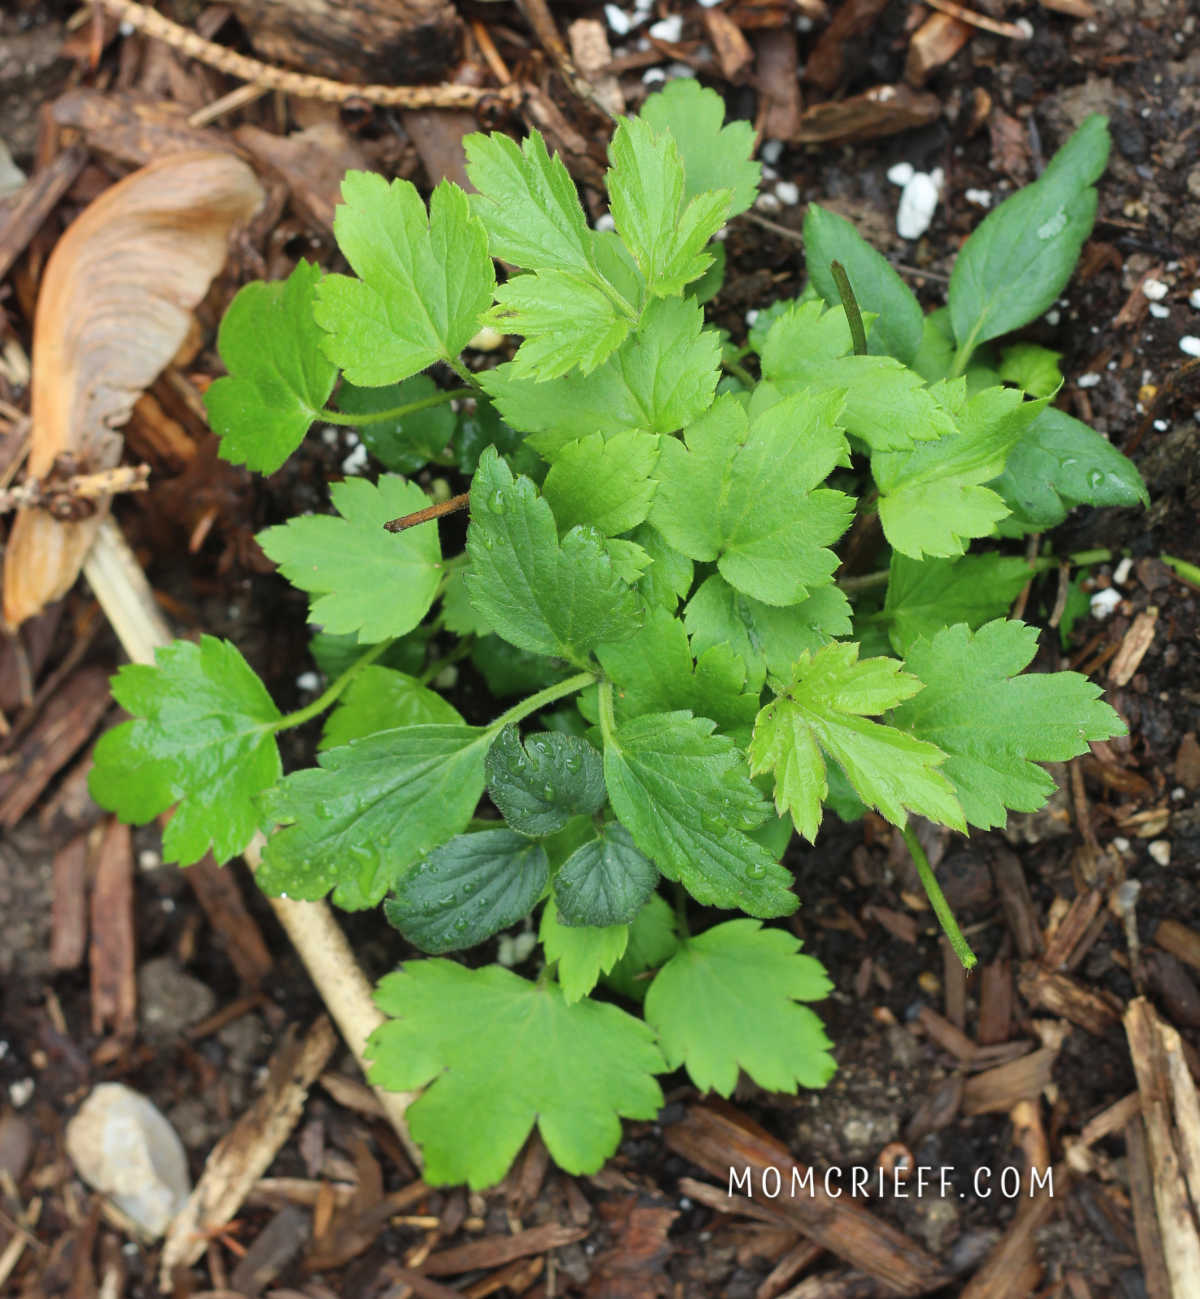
121	588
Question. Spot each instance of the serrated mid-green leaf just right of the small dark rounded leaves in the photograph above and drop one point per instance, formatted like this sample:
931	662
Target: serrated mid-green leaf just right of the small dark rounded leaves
688	800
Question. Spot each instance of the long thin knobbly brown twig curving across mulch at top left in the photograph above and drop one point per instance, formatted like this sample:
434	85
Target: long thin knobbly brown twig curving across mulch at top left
154	25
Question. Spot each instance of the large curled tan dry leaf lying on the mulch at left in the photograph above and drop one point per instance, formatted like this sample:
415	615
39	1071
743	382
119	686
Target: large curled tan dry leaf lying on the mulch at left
115	307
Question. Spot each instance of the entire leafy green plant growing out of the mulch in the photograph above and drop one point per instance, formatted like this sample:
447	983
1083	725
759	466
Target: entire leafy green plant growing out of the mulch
650	564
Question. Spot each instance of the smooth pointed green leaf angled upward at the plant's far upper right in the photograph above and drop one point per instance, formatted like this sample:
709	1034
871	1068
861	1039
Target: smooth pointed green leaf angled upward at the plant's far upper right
1023	254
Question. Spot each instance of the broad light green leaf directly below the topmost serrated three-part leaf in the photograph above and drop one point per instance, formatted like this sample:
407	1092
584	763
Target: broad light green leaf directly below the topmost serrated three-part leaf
660	379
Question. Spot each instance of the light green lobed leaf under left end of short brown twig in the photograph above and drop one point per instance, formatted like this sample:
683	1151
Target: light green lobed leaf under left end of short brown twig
364	580
